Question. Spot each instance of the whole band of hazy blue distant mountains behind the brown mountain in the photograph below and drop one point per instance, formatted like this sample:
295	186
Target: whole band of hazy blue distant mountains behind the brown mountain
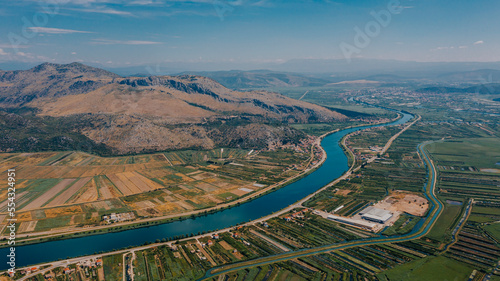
313	72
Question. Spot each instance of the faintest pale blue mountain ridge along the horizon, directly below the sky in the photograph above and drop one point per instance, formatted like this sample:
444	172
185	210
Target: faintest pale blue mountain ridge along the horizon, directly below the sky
341	67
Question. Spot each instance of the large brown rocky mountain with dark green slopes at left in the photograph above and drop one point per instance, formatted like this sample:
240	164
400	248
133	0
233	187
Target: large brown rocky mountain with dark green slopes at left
75	102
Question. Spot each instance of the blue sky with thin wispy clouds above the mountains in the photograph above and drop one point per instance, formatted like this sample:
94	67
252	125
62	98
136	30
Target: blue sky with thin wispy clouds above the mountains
120	33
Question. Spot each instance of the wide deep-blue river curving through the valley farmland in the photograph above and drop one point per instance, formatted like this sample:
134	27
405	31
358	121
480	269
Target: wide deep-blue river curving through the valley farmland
333	167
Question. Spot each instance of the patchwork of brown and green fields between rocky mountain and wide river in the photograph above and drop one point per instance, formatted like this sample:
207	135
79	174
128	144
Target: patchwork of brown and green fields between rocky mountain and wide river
147	185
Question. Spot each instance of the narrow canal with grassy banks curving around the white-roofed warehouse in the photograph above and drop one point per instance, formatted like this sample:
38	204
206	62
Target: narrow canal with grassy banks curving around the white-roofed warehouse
435	211
